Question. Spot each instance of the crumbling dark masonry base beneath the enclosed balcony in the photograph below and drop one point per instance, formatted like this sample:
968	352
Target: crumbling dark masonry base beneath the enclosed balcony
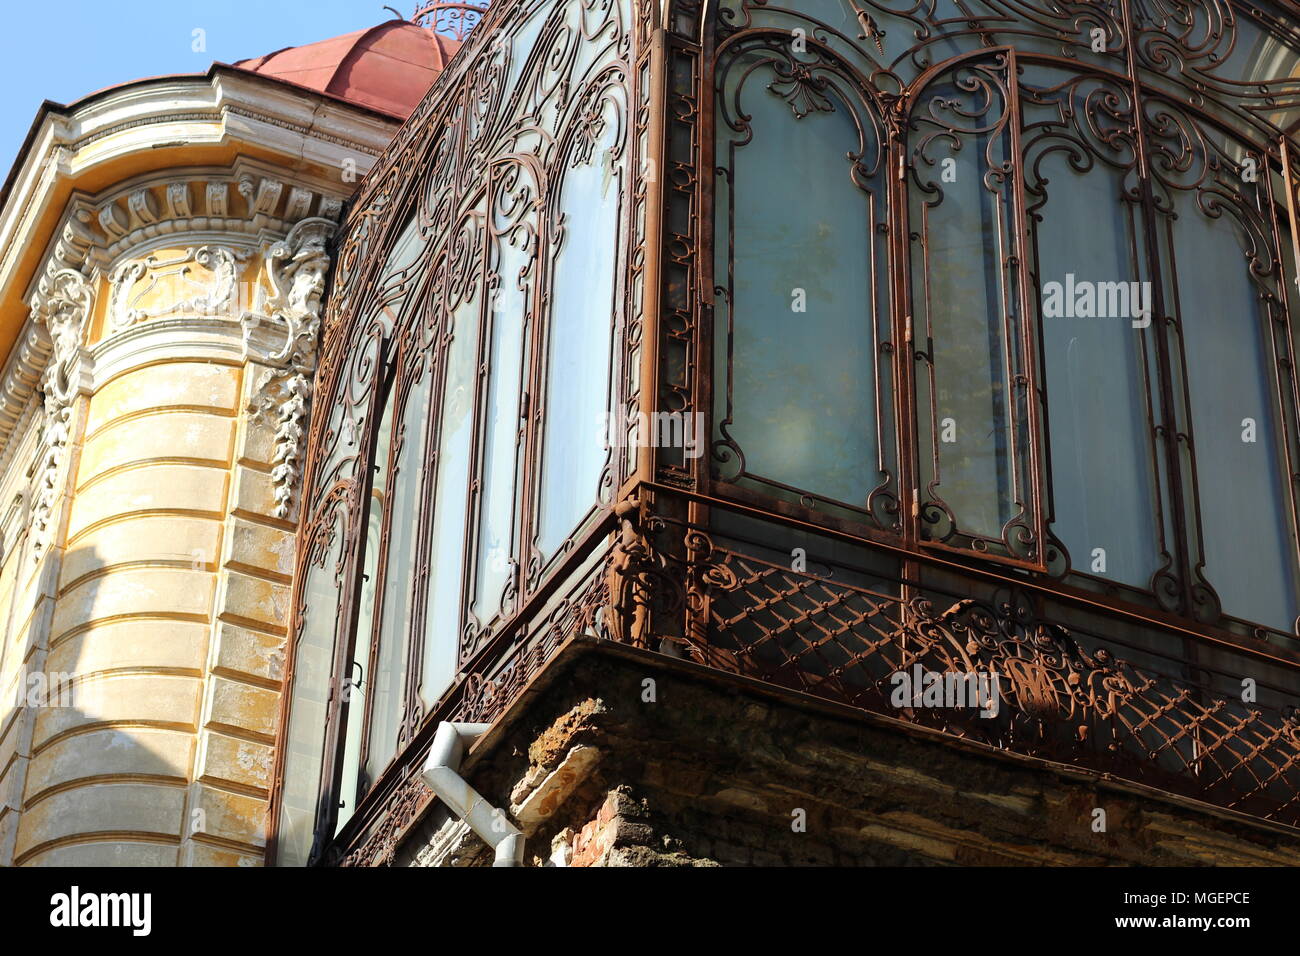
622	759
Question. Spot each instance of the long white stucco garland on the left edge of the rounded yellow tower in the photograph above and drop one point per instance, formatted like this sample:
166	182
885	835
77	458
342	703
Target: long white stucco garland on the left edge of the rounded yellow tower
63	305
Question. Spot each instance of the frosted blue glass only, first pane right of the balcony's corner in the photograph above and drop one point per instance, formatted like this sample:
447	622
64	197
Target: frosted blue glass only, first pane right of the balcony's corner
803	382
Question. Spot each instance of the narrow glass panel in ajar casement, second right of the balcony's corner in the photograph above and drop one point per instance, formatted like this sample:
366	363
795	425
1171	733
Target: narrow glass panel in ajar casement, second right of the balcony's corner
965	300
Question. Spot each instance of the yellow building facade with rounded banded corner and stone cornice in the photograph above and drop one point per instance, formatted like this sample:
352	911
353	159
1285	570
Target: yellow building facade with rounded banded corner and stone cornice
164	249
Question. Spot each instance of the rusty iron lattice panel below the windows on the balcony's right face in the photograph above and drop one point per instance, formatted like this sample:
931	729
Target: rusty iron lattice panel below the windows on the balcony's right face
1056	699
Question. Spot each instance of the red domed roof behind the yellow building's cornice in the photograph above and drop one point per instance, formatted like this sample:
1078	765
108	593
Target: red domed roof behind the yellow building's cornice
388	68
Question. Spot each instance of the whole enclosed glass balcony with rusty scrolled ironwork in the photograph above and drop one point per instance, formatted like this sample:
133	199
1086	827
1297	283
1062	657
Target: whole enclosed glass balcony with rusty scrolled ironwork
813	344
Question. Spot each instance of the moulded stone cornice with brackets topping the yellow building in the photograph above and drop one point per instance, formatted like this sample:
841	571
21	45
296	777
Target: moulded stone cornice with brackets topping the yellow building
137	148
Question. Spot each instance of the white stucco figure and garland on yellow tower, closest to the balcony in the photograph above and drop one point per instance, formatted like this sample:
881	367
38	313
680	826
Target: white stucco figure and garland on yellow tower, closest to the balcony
297	270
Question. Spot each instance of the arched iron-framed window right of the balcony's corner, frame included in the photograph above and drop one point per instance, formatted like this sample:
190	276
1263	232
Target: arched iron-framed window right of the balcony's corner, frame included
803	391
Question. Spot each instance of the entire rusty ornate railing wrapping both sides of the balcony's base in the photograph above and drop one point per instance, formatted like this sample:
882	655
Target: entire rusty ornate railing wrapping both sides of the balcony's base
1141	703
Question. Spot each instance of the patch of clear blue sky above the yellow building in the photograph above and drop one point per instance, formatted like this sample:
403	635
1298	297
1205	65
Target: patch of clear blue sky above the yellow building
62	50
